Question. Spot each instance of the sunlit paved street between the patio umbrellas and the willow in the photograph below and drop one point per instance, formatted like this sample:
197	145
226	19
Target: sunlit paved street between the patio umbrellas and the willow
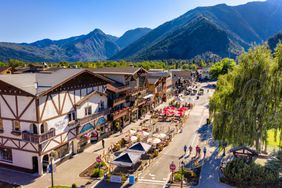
156	175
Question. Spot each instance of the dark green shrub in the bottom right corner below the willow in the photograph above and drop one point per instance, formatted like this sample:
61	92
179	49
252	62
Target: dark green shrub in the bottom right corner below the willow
240	173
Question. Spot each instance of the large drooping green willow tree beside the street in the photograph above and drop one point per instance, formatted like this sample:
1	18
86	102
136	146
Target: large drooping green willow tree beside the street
247	101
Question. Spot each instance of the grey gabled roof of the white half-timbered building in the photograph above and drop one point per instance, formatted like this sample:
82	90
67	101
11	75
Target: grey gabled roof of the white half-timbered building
40	83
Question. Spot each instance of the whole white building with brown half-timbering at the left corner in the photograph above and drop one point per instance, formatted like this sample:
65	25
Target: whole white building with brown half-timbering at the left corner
47	112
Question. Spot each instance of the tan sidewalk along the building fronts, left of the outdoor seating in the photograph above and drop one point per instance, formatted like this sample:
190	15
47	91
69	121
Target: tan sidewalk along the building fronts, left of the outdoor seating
68	172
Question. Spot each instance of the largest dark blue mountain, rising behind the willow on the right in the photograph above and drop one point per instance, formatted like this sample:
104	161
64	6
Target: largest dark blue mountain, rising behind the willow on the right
237	27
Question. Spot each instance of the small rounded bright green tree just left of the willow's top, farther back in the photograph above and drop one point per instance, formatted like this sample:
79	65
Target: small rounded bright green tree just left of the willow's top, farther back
222	67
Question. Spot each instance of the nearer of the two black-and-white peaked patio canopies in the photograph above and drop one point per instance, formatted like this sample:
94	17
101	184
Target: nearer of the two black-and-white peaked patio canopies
127	159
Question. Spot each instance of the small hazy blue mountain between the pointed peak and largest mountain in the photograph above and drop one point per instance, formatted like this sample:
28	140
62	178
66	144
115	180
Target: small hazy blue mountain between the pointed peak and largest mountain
132	35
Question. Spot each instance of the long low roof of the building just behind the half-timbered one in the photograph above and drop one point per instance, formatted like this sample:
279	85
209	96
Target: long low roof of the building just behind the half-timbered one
118	70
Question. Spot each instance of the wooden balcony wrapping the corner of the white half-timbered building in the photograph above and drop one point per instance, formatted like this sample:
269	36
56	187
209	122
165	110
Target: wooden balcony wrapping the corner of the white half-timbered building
35	138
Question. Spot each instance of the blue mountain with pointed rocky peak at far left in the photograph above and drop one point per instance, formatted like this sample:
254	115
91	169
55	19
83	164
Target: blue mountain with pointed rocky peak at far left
94	46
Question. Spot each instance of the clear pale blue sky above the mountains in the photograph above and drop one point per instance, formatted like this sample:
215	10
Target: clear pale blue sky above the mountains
31	20
